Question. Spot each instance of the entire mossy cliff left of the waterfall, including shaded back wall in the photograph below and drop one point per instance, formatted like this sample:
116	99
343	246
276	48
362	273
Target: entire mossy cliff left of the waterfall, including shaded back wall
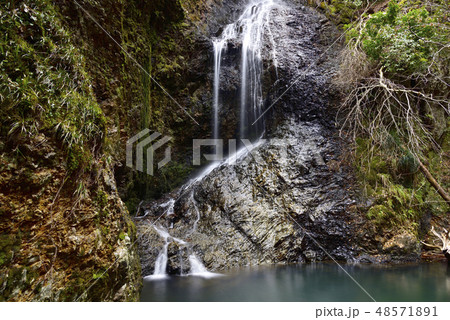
70	98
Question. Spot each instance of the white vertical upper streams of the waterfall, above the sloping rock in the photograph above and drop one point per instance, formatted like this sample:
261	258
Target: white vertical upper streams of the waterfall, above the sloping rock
249	29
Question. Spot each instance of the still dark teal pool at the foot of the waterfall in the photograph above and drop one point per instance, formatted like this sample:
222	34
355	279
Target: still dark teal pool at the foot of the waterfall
313	282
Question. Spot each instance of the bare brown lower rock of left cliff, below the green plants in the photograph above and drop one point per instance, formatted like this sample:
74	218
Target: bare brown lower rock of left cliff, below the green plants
57	247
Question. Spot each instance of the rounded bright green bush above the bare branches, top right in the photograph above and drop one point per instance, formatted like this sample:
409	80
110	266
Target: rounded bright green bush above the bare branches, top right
402	38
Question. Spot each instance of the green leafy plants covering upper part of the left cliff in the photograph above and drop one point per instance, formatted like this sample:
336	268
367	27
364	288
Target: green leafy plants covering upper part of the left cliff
44	86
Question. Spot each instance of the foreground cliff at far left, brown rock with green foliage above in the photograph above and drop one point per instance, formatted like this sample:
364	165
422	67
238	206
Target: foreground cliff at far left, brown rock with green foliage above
65	233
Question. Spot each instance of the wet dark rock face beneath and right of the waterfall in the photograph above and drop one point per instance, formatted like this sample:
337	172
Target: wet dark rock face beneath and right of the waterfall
292	198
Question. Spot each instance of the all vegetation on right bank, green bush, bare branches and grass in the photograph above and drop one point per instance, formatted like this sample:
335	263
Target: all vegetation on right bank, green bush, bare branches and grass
403	51
